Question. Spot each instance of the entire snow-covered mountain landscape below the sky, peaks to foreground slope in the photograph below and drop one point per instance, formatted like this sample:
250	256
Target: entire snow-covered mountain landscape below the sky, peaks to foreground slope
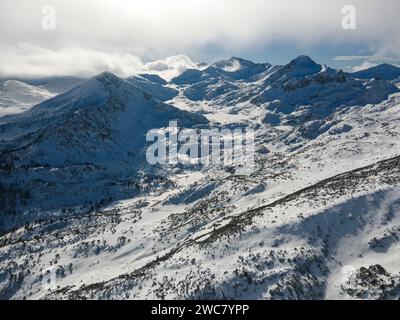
85	217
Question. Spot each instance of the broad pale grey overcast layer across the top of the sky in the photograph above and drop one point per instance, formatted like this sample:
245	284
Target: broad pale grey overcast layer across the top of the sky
158	25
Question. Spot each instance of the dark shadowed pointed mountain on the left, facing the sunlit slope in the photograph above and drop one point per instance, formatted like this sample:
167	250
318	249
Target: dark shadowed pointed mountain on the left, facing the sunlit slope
90	138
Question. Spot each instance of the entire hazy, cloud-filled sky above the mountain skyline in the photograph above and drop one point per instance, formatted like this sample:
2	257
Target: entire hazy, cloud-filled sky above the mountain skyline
124	35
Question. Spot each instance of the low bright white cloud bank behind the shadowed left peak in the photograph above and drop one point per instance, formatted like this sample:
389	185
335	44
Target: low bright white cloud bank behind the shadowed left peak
27	60
